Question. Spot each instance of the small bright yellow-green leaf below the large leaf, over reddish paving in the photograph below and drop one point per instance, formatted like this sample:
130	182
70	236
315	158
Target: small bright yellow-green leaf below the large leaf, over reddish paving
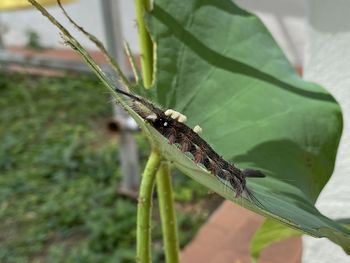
269	232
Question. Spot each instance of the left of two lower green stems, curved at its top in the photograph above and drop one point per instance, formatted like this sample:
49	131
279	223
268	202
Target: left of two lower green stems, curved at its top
144	208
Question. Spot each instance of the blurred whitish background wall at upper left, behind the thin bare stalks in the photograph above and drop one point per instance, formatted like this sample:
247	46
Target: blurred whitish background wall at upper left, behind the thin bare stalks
87	13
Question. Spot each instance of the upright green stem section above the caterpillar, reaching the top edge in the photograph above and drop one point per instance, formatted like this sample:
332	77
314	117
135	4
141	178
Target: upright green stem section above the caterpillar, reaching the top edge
146	44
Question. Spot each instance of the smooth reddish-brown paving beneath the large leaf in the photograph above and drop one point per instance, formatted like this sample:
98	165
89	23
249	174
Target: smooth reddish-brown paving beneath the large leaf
225	239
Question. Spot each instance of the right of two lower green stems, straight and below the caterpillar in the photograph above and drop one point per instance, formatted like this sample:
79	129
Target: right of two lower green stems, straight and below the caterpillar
167	213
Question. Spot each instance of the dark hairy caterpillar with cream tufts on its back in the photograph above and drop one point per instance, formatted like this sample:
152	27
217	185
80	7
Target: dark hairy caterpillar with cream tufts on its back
189	141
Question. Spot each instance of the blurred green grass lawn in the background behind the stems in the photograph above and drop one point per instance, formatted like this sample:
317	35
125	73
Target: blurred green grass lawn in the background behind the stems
59	171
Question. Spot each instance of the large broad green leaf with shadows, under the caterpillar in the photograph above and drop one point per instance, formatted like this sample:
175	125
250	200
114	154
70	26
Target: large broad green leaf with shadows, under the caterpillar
219	65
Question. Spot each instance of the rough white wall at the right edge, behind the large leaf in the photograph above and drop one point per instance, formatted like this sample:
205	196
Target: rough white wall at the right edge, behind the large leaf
327	61
